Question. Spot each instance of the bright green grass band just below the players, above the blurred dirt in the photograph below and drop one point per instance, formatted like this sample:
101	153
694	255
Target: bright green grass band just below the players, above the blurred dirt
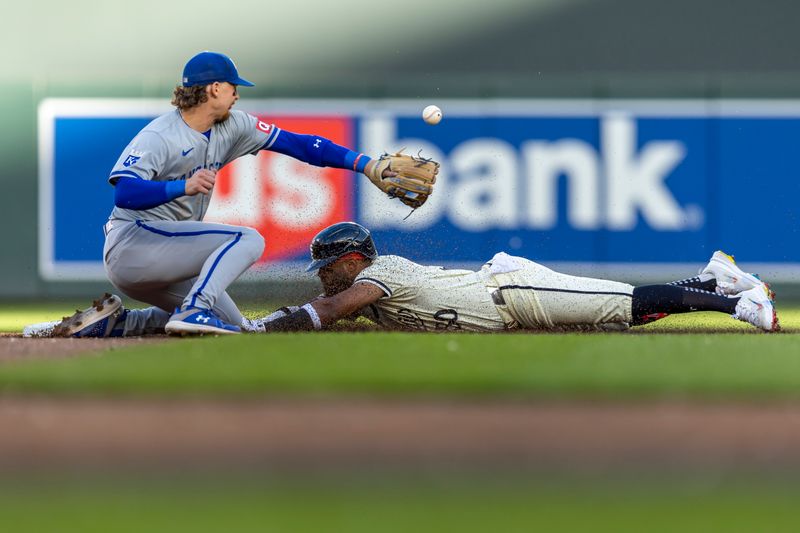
736	361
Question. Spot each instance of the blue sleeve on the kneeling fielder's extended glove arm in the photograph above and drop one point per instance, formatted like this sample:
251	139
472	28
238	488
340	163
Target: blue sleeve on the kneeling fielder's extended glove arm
318	151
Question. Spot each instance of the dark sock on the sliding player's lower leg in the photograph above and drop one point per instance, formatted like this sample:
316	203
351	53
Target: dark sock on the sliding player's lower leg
671	299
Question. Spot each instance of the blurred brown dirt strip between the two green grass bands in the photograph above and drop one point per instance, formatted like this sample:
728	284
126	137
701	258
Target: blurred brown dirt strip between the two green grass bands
49	434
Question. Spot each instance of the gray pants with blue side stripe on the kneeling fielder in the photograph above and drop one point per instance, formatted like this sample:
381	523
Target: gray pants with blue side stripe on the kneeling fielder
170	264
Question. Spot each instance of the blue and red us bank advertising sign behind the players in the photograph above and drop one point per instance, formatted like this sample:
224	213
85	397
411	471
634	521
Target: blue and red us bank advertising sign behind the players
617	187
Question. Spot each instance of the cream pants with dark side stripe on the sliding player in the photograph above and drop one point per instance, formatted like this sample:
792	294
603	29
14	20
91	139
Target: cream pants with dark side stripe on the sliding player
529	295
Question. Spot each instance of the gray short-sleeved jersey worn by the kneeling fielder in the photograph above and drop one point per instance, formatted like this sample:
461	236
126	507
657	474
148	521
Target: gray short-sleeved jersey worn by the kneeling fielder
168	149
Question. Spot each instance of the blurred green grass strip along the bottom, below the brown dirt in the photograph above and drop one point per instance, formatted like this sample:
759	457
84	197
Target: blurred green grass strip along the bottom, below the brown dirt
466	506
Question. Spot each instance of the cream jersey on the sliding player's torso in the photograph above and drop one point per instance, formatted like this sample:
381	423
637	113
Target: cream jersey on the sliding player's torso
430	298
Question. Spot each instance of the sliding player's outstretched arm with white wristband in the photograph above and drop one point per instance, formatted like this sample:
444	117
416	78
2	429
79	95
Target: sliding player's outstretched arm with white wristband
323	312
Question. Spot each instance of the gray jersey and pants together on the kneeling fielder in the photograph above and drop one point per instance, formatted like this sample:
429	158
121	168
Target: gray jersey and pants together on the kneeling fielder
165	255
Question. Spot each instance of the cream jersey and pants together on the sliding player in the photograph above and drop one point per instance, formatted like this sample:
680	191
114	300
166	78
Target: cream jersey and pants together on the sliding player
507	293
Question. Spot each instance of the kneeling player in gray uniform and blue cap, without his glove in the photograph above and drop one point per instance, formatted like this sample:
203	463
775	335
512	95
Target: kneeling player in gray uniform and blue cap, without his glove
158	249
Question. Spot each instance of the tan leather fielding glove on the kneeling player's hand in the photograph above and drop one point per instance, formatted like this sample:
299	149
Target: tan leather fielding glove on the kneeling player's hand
410	178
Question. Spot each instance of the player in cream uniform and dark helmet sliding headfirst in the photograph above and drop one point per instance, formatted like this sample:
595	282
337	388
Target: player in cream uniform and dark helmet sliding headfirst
507	293
